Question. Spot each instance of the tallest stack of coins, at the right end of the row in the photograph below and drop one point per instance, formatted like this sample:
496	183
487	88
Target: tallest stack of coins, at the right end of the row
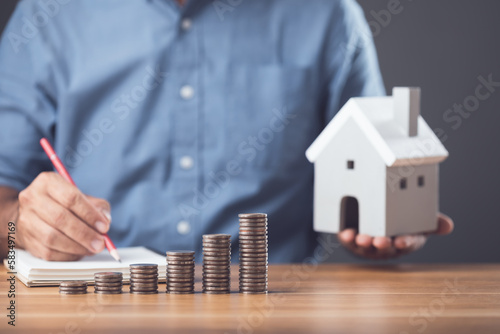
253	253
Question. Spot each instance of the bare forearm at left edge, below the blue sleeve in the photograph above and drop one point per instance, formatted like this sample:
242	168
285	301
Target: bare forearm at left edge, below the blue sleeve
8	212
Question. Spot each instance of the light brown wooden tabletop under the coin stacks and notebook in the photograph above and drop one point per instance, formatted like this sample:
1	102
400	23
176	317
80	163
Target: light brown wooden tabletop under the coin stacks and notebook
302	299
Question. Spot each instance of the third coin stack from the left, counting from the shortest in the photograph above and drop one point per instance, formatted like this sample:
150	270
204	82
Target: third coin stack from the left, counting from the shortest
144	278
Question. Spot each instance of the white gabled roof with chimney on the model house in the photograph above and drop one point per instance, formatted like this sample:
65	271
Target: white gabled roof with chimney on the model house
392	124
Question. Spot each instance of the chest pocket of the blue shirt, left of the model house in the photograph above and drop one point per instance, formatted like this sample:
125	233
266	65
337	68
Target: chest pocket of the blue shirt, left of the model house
271	115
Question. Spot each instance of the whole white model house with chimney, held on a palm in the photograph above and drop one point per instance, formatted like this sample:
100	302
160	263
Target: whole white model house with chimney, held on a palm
376	168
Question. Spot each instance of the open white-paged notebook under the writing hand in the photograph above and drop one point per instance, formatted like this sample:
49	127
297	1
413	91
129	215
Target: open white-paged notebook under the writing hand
33	271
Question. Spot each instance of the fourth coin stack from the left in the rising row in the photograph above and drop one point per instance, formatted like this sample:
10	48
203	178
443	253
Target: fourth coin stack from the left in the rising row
180	272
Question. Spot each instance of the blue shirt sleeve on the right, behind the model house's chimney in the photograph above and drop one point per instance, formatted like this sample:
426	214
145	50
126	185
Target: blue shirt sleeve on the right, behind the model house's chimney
354	64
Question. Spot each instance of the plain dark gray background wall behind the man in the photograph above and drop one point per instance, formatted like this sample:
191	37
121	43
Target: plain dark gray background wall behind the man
444	46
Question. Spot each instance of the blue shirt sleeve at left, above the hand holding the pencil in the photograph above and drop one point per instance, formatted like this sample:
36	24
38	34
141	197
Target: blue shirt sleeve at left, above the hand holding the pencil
27	111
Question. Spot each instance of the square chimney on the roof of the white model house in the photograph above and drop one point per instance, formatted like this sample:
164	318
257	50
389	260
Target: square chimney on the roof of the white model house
407	109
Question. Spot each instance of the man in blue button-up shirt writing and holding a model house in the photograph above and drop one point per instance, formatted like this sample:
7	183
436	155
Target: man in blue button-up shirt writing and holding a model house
180	115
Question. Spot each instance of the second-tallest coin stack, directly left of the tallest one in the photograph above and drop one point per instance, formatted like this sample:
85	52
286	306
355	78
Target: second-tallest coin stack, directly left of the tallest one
216	263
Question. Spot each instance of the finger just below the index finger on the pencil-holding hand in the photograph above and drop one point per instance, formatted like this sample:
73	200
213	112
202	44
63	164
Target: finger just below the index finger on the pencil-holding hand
65	221
